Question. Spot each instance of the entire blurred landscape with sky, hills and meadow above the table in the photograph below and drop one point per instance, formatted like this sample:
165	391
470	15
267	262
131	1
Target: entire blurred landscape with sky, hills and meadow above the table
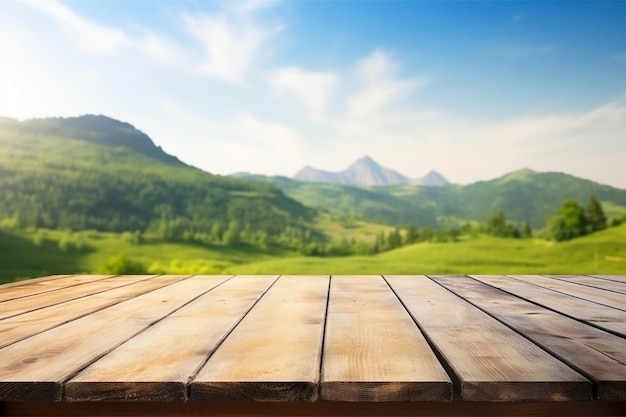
303	137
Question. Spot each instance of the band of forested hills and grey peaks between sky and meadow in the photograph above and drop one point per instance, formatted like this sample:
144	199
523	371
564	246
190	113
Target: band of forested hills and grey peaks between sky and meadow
94	172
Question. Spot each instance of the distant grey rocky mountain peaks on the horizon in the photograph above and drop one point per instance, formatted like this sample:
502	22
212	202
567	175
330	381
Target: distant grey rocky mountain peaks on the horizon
367	172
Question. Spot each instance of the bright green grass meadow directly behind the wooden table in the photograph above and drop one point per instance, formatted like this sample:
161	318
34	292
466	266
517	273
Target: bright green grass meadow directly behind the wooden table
601	253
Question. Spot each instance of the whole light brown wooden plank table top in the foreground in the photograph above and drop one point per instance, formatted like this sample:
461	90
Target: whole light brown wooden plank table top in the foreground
313	338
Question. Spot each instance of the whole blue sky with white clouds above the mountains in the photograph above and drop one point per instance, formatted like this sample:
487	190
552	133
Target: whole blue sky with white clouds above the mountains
472	89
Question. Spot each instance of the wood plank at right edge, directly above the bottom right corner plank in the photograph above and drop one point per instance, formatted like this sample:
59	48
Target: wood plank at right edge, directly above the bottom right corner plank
598	315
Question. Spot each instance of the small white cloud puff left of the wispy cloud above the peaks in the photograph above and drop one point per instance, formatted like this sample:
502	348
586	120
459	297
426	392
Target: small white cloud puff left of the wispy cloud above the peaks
313	89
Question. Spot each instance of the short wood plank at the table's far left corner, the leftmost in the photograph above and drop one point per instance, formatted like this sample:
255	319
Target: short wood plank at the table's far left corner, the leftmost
35	286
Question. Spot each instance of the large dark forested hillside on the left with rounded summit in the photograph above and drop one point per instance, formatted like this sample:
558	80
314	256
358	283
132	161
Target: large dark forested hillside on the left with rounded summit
93	172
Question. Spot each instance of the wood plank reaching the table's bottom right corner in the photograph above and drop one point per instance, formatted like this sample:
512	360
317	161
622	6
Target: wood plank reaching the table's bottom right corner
599	355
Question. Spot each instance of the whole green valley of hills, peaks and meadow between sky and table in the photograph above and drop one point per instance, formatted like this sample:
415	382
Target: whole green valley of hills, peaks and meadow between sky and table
95	195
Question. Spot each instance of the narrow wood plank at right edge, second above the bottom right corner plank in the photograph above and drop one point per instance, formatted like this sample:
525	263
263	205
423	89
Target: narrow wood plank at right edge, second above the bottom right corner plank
596	295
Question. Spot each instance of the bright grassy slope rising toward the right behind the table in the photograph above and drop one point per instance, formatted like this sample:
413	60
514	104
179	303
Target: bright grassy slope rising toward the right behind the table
600	253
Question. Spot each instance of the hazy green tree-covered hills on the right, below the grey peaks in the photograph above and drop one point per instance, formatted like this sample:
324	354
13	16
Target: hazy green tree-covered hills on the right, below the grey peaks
523	195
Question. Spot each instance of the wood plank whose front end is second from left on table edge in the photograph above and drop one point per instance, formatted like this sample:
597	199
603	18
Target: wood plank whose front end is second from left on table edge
155	365
